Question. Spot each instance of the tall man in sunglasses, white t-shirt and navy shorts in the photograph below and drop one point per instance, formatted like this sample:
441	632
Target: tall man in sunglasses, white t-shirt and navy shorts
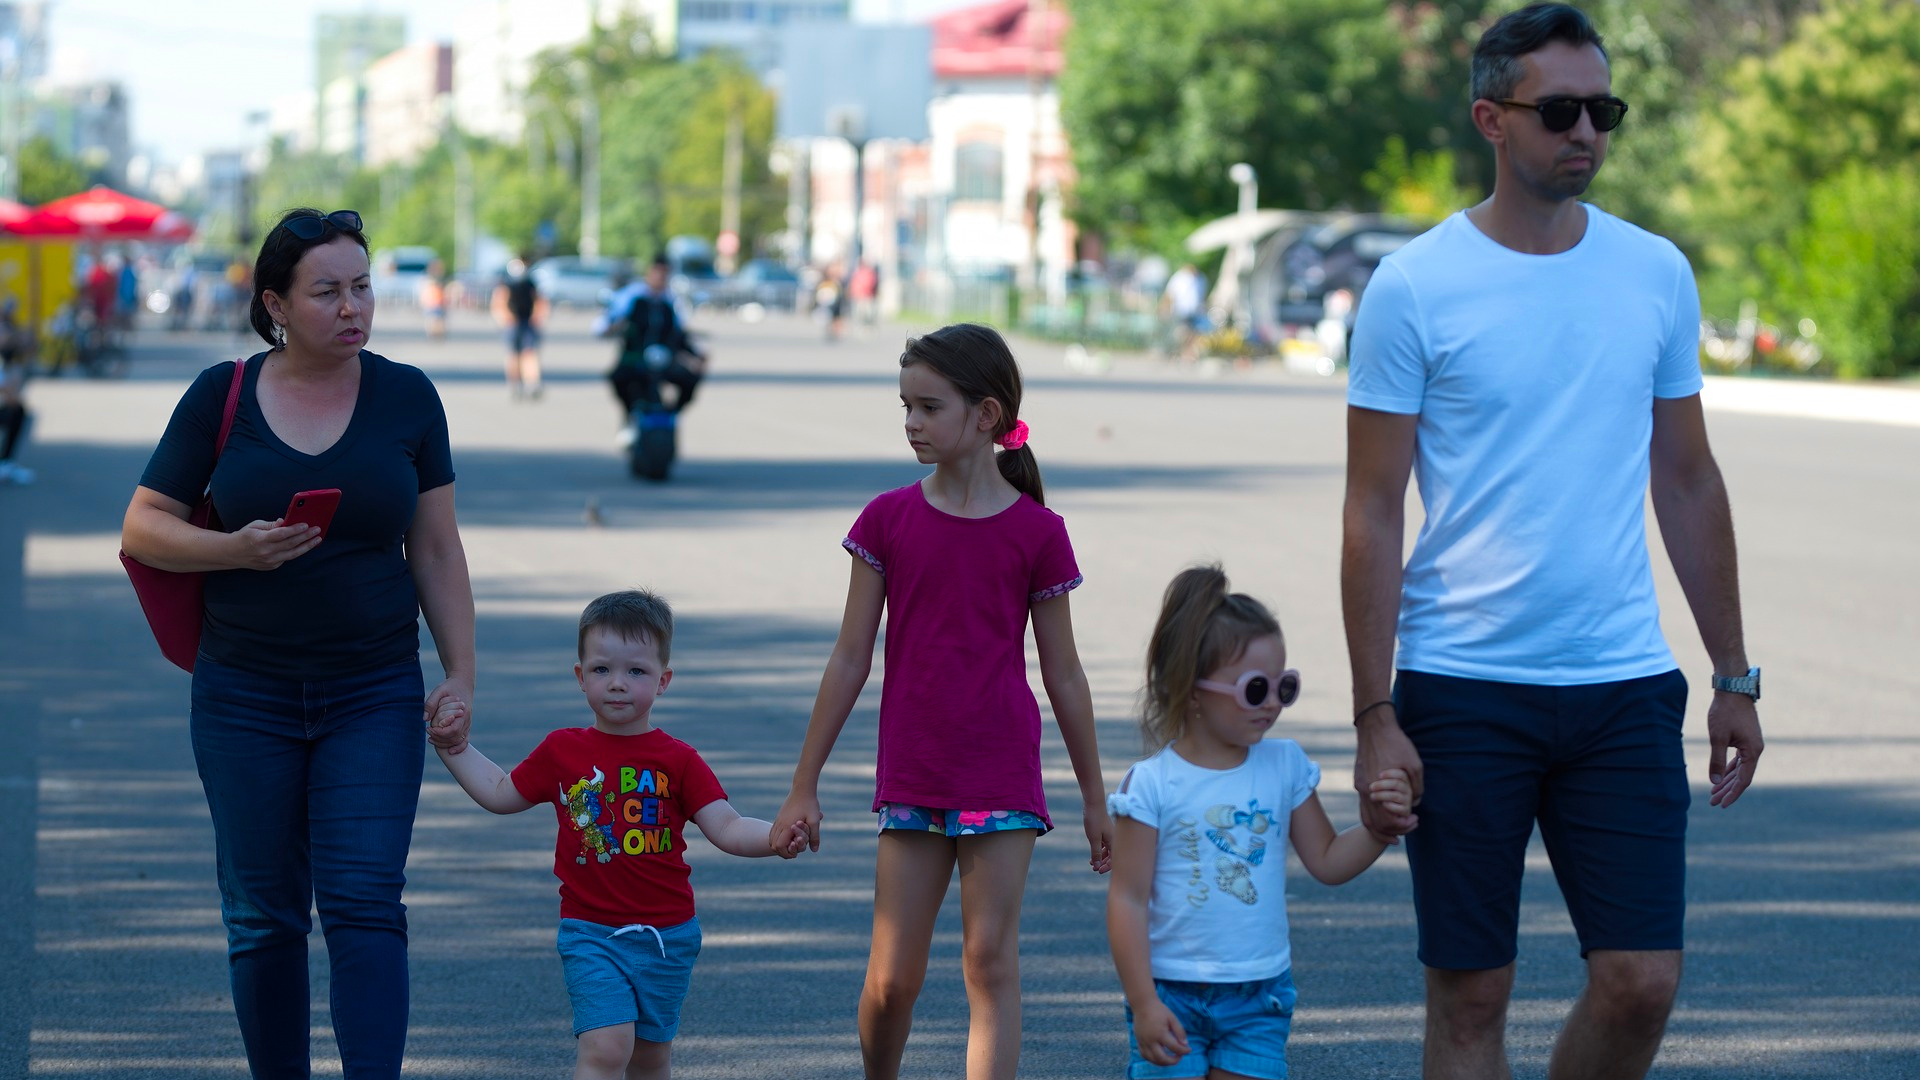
1535	364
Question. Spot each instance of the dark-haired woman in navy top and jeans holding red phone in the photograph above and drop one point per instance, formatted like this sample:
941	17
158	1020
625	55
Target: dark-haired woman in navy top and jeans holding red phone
308	700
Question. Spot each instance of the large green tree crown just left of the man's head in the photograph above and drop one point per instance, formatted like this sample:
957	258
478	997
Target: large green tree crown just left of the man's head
1161	99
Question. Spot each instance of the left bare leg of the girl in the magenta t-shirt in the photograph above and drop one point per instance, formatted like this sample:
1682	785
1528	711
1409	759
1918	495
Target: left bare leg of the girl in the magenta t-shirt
909	885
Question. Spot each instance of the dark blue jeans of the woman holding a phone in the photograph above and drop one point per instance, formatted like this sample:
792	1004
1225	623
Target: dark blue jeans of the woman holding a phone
314	789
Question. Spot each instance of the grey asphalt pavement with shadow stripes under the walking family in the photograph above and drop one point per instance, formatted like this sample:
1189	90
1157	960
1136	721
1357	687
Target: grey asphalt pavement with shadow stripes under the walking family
1804	952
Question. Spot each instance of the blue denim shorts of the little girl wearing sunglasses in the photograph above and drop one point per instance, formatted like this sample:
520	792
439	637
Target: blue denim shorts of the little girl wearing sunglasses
1236	1027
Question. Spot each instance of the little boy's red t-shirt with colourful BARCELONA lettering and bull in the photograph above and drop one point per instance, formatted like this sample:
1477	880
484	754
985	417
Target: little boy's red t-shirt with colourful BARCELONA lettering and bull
625	804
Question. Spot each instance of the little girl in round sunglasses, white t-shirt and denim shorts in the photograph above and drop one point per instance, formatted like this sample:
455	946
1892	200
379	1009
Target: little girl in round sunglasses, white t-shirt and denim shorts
1197	910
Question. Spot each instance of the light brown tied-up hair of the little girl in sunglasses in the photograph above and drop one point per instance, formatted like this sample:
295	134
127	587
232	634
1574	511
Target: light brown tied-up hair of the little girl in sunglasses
1201	627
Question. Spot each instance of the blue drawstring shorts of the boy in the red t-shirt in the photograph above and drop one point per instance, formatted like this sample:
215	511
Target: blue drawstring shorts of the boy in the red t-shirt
629	975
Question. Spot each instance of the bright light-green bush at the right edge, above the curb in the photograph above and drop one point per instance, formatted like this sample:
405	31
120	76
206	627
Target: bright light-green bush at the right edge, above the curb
1854	270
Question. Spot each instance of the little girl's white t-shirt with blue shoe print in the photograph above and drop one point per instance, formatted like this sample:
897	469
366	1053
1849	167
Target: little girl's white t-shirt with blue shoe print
1218	910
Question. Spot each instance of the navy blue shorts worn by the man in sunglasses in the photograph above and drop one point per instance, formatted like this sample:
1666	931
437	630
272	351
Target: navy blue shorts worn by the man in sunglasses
1598	766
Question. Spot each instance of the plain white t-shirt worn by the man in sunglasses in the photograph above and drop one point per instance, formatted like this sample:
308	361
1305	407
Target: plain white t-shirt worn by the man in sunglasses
1535	381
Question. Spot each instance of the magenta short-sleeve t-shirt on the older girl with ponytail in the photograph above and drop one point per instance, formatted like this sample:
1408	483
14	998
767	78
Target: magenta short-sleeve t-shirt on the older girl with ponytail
959	727
